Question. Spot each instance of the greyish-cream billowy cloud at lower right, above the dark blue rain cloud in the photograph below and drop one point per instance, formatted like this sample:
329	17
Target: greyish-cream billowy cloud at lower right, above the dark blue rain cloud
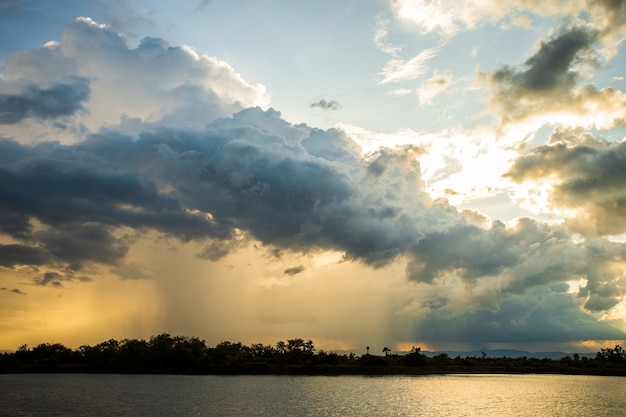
526	256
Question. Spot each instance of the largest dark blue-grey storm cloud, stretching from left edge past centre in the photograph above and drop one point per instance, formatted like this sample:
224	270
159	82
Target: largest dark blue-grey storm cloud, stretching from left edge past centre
252	172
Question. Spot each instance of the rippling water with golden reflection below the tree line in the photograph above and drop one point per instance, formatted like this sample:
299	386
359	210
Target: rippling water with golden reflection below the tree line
439	395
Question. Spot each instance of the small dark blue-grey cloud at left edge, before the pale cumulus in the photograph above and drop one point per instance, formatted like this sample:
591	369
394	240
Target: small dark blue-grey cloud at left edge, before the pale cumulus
63	98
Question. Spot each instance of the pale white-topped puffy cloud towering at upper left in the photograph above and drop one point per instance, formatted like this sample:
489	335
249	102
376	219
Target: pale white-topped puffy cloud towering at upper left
153	82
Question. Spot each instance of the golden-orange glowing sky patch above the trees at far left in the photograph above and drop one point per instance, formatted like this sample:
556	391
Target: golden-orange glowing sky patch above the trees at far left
81	313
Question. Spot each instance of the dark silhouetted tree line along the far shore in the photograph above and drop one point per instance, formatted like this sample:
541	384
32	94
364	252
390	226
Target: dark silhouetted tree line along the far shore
166	354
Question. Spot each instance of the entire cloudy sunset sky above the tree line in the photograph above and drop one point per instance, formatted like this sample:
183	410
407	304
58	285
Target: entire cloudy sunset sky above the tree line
387	173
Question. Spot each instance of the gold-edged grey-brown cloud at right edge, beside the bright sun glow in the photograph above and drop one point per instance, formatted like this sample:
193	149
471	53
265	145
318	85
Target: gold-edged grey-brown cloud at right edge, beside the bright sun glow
589	177
